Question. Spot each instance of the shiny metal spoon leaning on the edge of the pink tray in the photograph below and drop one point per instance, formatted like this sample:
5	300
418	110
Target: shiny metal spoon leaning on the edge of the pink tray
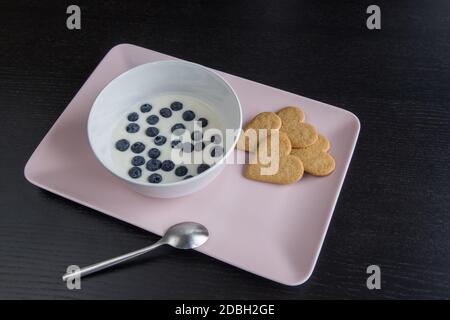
185	235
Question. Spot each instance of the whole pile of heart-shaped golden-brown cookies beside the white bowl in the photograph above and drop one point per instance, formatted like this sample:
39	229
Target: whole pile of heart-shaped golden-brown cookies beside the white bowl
300	148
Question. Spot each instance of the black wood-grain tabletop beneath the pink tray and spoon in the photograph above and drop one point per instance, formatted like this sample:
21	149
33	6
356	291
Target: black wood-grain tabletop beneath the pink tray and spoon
393	210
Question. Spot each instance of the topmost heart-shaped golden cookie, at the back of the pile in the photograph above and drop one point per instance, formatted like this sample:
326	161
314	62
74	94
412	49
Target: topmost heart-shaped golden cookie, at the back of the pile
301	134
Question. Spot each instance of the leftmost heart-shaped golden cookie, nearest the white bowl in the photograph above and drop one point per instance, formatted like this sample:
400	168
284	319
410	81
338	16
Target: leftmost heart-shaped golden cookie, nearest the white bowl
248	140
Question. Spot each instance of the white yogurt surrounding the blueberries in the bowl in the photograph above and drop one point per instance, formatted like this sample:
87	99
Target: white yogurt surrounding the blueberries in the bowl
122	159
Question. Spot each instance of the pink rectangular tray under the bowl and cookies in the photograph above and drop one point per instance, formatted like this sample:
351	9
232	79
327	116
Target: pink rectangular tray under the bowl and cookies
270	230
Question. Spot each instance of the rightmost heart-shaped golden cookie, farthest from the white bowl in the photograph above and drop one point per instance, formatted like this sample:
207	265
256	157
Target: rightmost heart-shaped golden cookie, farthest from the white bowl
315	158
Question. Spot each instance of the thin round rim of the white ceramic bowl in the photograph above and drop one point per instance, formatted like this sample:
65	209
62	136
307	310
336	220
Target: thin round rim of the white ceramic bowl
181	182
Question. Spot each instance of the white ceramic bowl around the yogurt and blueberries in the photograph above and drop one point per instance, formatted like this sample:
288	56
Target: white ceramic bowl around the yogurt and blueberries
153	79
